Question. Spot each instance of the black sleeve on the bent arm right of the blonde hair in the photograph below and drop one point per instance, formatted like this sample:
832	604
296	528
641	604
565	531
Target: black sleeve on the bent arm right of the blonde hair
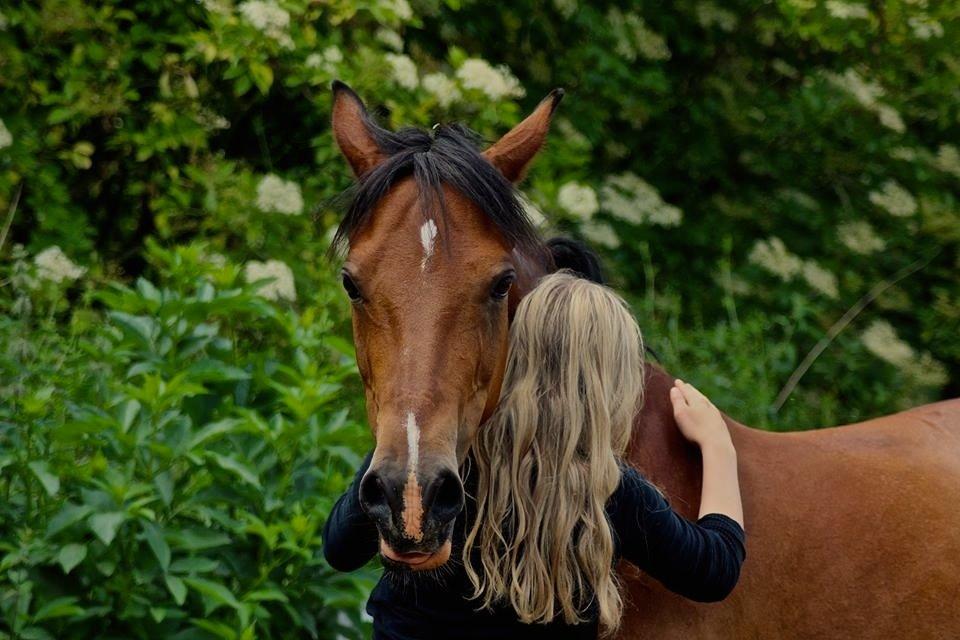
700	561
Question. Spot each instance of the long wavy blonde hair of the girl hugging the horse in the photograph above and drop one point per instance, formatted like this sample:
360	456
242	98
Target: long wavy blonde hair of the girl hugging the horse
547	460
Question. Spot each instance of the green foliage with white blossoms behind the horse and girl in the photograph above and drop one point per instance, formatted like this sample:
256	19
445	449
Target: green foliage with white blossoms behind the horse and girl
178	400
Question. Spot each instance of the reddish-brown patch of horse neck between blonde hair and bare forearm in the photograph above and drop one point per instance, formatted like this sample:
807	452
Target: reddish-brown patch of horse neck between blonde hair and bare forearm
658	449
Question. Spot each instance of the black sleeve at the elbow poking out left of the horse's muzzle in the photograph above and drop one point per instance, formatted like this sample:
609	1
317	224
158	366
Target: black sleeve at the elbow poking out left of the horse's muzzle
350	538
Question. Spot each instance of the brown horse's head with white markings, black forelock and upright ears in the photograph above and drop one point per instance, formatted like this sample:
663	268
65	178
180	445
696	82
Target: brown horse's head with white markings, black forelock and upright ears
439	253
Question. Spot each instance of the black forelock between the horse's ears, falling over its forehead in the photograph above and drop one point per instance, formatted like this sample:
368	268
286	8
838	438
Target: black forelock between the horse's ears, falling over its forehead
447	154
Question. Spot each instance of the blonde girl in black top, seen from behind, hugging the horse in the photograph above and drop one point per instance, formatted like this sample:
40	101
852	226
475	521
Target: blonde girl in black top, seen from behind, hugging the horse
554	505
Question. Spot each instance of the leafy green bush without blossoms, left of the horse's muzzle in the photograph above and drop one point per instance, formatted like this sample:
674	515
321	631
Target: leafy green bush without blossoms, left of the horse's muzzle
168	463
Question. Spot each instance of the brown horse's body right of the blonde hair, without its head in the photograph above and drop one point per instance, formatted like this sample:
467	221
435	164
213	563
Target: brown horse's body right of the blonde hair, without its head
852	531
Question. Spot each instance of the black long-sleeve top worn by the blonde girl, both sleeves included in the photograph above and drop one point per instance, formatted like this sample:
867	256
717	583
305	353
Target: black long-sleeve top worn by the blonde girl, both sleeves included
698	560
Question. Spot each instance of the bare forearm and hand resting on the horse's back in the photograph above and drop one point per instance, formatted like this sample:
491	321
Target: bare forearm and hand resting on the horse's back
701	423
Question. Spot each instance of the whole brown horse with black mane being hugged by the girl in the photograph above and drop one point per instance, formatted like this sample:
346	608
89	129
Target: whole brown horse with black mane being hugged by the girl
853	532
